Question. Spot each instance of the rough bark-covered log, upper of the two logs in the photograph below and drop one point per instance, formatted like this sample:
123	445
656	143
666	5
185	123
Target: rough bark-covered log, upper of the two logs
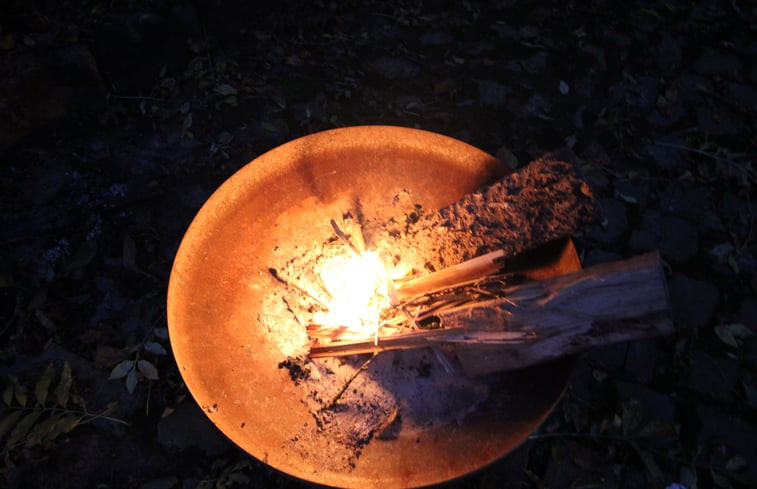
543	201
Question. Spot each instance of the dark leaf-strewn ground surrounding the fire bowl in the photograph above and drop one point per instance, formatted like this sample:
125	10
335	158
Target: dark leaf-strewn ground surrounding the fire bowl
118	119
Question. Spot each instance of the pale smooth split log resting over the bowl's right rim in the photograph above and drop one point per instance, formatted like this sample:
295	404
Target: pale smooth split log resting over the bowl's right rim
604	304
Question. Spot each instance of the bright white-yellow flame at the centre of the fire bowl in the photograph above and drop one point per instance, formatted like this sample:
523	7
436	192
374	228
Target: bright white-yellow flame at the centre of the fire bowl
357	288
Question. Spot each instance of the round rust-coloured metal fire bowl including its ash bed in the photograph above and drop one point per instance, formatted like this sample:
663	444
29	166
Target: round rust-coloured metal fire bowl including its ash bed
399	419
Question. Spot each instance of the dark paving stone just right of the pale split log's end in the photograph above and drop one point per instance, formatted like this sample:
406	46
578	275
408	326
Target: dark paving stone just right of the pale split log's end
694	301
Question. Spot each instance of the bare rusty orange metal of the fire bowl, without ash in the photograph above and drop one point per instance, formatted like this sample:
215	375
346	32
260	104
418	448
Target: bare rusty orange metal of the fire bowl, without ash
220	279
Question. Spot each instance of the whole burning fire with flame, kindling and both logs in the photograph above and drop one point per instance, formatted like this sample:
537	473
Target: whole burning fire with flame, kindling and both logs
472	293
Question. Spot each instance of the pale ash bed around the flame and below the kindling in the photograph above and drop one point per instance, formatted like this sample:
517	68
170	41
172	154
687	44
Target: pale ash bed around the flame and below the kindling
399	393
